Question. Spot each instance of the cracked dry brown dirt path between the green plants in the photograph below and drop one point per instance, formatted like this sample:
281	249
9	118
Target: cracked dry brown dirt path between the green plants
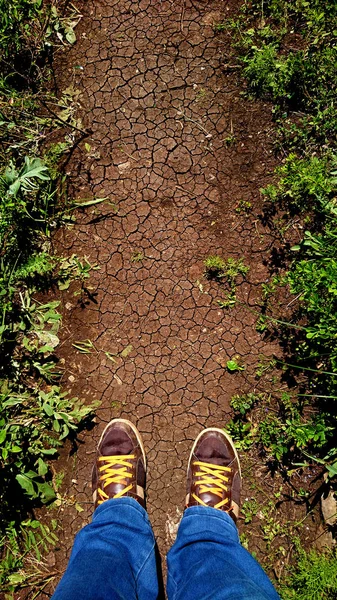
174	147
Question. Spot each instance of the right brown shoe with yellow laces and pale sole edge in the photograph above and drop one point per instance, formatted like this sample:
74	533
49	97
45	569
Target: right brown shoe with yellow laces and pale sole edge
214	474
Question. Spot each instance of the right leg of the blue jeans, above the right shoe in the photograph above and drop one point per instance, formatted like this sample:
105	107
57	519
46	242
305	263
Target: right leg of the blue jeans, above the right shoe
207	561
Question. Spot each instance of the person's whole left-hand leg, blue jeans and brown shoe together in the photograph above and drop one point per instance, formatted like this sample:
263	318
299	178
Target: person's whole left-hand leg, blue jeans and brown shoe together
113	558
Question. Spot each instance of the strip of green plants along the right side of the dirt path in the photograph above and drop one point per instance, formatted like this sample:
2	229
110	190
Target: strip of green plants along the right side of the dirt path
288	54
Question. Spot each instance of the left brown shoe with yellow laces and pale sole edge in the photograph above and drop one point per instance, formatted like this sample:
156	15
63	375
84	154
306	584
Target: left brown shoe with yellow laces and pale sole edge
120	467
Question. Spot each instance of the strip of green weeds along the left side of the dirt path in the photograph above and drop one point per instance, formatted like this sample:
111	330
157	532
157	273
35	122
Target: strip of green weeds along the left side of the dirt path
36	416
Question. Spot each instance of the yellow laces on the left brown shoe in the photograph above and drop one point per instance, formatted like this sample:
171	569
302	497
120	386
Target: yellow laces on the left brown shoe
114	470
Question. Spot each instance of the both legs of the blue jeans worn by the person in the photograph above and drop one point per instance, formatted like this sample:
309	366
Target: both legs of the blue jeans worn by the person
114	558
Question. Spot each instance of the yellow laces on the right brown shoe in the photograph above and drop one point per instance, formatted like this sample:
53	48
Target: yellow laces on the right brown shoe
212	480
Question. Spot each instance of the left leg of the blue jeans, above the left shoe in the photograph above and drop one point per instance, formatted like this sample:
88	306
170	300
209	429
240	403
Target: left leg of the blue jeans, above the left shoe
113	558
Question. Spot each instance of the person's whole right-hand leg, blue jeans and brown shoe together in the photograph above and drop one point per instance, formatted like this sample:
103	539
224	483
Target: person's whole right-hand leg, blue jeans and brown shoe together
207	561
